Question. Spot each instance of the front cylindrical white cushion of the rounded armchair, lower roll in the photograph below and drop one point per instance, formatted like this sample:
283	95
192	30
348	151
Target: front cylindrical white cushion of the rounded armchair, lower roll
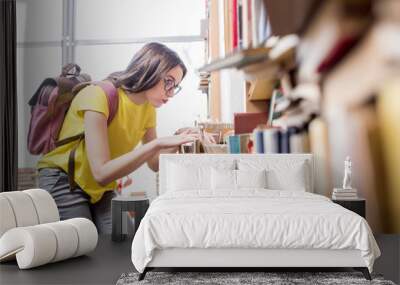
37	245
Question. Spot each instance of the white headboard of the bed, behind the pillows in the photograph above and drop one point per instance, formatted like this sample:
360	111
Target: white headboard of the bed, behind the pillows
285	161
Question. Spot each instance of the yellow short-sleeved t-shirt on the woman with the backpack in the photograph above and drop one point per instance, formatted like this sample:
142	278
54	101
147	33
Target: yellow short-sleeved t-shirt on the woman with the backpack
124	132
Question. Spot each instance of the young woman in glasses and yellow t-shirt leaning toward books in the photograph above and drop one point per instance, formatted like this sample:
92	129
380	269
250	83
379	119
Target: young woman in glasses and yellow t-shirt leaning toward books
108	151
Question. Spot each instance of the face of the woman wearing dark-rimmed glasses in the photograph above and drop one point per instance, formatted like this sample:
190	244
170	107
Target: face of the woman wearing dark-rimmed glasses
166	88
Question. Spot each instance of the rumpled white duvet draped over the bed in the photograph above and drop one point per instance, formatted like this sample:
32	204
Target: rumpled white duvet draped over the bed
252	218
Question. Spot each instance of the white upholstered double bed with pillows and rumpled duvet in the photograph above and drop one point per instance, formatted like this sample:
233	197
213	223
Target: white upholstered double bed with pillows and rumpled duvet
247	211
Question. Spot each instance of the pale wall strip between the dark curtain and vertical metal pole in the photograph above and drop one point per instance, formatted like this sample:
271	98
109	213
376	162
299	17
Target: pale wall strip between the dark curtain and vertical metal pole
34	63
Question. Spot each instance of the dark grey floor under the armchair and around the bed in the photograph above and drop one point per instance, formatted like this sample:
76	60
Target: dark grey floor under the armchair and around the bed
110	260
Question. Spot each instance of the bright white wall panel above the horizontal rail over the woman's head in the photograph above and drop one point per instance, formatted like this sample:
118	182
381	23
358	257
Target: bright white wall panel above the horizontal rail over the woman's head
137	19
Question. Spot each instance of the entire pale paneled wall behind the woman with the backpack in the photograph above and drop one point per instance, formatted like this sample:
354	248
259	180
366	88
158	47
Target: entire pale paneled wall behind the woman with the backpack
110	21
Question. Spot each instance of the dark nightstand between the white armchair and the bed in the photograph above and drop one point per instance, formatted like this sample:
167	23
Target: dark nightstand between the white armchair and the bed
121	204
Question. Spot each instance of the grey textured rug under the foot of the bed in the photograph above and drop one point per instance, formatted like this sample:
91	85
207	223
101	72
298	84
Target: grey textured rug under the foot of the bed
230	278
